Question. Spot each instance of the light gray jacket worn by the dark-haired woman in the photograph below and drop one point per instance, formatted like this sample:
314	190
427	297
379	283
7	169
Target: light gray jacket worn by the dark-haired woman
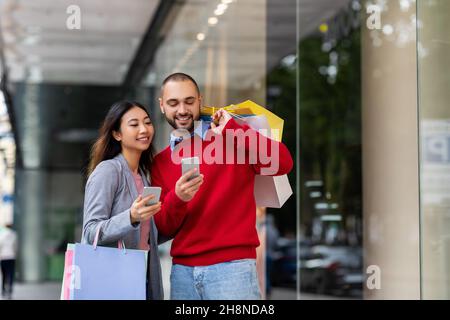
110	192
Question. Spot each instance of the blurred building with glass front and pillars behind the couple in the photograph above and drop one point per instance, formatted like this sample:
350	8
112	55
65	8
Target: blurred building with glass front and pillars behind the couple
361	84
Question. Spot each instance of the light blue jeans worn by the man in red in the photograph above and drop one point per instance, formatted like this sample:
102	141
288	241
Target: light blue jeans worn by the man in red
233	280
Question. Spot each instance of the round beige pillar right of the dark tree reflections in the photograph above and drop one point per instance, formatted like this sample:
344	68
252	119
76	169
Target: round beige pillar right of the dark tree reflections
390	154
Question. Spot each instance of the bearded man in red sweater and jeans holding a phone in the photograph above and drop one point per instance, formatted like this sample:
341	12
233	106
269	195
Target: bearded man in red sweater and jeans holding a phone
213	220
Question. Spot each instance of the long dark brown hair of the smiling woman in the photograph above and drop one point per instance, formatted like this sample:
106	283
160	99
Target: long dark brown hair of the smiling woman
106	147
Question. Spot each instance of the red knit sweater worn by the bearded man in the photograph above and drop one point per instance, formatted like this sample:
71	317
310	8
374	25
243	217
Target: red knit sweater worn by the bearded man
219	223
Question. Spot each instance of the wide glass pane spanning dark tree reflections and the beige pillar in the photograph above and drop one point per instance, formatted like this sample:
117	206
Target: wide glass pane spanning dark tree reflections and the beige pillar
359	211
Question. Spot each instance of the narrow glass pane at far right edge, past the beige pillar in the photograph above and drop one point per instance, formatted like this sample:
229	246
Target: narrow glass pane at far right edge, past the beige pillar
433	45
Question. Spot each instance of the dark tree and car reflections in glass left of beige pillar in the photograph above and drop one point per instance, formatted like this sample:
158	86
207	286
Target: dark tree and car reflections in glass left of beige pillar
330	162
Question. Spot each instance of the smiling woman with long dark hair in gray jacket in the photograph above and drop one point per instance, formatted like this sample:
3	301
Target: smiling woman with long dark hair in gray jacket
114	208
